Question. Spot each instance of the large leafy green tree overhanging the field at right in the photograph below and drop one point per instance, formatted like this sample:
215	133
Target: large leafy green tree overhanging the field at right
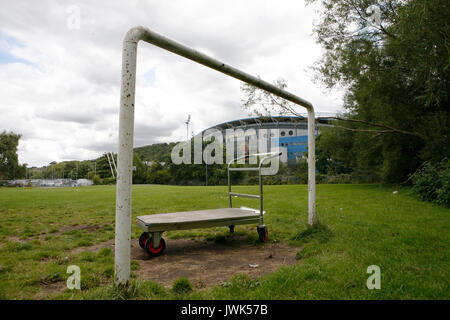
396	77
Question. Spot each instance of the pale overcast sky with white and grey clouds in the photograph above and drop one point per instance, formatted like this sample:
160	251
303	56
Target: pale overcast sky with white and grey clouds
60	75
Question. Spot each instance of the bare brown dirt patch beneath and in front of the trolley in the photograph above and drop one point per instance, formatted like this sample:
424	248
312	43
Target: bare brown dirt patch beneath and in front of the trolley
207	263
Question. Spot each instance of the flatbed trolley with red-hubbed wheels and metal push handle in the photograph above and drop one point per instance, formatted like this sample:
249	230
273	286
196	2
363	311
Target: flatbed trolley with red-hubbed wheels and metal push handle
154	225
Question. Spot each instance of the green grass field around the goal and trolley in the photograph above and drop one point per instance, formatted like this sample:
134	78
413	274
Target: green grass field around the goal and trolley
362	225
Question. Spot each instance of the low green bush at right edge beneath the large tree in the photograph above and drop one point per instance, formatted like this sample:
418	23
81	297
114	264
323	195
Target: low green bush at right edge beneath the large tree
432	182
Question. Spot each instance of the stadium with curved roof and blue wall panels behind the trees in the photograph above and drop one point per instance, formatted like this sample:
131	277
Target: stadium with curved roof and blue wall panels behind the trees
287	133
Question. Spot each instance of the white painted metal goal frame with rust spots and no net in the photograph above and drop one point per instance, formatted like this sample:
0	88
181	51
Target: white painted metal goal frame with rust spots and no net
126	132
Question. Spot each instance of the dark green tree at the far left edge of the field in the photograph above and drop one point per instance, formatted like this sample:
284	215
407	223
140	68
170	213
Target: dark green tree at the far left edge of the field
9	160
